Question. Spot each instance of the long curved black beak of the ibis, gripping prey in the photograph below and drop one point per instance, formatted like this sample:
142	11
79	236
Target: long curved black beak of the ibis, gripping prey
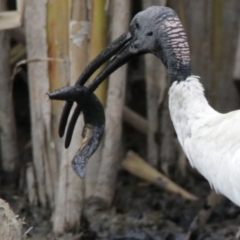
121	49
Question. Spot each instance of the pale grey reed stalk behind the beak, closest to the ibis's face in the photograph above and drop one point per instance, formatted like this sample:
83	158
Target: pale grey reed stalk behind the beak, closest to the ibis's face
105	187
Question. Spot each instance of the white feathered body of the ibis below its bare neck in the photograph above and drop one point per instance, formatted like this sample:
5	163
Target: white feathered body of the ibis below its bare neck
210	140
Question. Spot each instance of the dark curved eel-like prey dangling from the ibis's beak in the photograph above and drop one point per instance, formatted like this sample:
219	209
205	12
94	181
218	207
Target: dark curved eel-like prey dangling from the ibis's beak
94	123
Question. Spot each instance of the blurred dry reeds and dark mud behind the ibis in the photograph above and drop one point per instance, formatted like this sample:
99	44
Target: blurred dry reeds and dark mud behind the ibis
139	184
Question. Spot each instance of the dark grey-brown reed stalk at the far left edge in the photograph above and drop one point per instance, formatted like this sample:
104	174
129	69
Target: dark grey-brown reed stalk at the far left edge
8	135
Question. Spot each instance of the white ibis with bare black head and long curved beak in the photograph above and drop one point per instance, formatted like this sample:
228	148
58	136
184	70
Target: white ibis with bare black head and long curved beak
210	140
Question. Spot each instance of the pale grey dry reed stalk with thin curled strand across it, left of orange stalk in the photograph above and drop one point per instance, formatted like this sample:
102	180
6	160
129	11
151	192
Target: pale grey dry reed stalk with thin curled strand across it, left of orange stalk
44	154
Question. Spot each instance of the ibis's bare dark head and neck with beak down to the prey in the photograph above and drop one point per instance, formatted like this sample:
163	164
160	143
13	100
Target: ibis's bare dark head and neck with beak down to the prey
156	30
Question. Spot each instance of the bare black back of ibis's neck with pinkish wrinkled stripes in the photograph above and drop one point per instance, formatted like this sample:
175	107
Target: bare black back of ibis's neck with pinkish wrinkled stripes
175	52
